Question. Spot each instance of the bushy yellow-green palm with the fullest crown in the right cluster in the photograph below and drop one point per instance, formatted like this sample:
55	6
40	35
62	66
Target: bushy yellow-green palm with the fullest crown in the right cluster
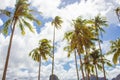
80	38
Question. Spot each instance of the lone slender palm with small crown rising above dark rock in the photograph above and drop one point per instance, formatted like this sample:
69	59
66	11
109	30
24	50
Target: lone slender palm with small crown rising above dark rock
57	24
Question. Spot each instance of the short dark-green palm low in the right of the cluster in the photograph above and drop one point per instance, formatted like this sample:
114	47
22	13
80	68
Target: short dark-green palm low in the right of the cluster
95	58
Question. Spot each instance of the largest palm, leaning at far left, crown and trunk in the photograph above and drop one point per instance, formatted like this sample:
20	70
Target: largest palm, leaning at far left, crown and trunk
21	13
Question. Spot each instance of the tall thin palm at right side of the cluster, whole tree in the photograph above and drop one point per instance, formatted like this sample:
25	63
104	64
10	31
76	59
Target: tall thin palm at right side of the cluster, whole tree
98	22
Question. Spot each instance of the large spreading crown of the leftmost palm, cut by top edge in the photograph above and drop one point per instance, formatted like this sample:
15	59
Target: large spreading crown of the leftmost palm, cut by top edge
21	14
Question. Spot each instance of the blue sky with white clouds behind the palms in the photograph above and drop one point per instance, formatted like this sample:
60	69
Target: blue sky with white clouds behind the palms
22	67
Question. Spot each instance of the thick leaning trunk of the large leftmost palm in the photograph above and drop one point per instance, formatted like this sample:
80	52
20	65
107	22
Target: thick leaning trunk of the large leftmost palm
8	53
